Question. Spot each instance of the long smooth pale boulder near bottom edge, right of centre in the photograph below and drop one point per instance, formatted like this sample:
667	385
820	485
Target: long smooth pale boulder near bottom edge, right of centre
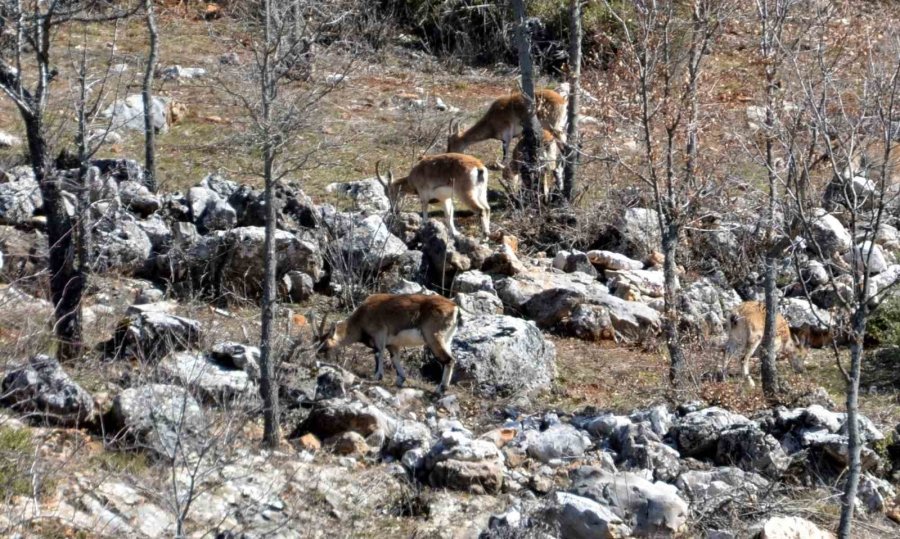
652	509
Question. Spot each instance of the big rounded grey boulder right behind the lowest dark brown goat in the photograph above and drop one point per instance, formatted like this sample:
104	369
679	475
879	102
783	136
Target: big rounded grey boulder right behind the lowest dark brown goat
501	355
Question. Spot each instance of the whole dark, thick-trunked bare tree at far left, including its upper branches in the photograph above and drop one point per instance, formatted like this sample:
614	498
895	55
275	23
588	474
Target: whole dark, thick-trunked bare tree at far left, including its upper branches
31	26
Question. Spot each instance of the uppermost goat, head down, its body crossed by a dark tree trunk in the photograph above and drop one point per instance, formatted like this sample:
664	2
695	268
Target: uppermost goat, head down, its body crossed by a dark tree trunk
503	121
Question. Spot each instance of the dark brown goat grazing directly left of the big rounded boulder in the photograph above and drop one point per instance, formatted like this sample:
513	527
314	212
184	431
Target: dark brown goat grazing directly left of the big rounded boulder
393	321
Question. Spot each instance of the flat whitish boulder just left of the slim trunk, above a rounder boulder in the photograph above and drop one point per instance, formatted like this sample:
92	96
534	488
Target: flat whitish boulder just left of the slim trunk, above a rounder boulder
212	381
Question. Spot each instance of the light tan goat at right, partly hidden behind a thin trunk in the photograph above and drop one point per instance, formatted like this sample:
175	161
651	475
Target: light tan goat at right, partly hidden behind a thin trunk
745	331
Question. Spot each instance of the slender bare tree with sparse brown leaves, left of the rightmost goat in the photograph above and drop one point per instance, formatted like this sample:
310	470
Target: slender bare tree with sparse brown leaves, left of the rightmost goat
667	72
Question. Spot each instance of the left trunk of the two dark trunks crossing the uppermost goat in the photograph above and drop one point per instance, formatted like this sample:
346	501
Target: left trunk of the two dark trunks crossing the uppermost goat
531	128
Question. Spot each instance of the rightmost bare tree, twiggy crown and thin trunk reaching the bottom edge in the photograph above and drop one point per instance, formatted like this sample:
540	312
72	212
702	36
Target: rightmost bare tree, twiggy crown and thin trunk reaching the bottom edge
850	104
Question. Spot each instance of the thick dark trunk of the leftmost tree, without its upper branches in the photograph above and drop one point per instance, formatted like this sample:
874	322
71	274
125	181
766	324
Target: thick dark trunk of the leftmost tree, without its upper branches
66	283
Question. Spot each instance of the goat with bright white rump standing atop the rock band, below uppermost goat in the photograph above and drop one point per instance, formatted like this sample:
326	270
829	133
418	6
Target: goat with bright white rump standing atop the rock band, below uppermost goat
437	178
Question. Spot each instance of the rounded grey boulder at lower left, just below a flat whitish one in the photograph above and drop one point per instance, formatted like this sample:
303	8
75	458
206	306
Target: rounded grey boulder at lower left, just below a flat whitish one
163	419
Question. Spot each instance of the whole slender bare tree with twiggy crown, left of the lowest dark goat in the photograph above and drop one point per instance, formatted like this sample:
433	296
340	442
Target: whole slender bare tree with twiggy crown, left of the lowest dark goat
278	111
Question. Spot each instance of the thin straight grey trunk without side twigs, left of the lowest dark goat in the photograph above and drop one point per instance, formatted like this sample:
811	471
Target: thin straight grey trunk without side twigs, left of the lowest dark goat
268	387
